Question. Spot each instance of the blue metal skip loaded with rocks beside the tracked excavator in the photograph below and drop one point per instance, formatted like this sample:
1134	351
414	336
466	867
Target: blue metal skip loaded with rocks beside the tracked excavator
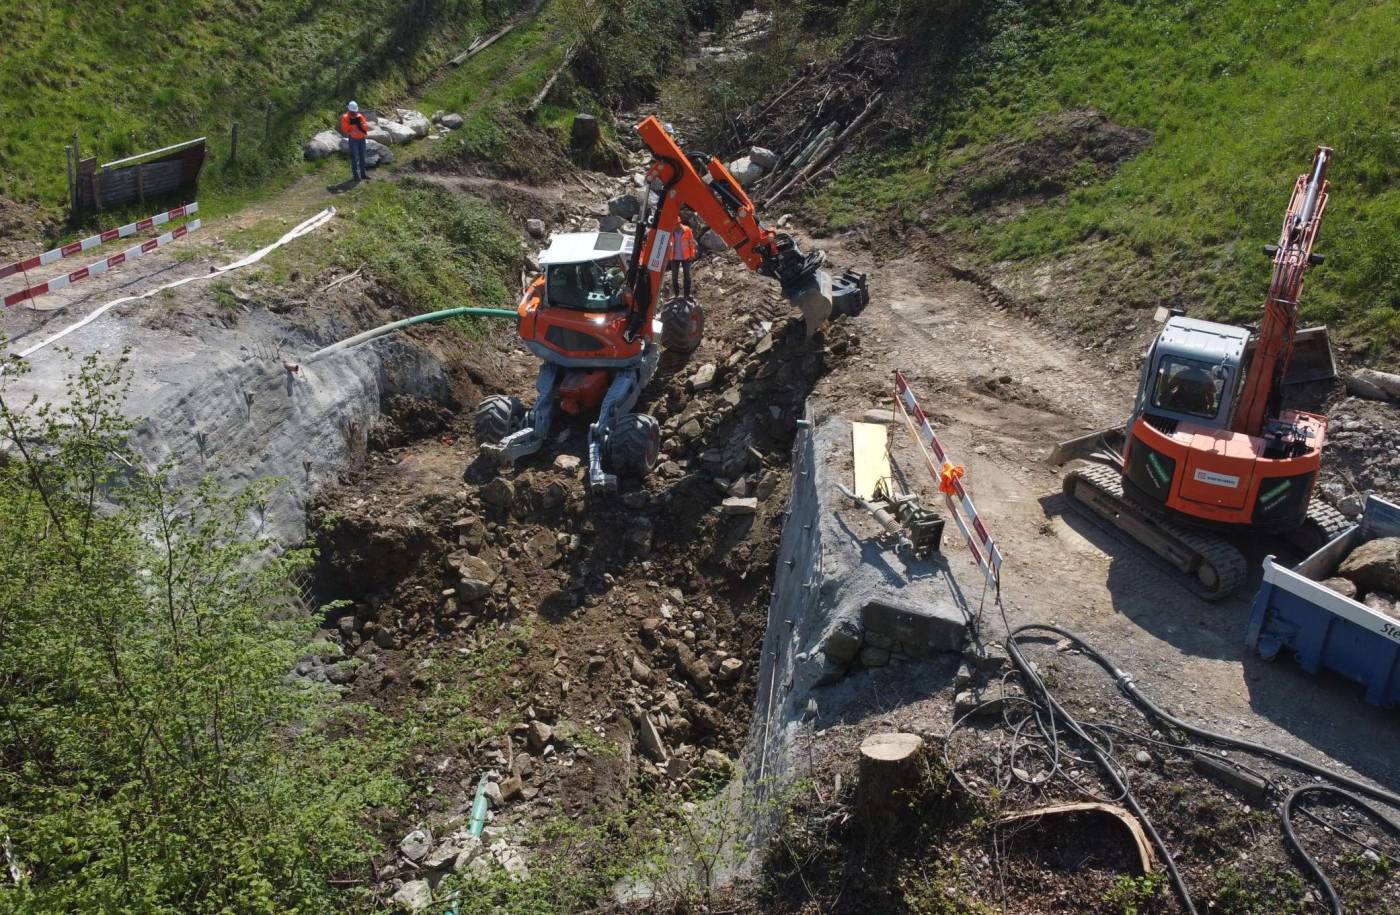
1325	629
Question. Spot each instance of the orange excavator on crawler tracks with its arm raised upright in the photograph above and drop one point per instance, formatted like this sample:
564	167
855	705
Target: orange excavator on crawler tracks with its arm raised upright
1210	448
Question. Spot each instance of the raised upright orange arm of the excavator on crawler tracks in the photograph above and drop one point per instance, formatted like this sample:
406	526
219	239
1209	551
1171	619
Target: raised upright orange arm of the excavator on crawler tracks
1262	395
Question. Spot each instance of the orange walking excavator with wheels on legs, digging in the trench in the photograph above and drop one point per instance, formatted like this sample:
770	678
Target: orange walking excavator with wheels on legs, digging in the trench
593	320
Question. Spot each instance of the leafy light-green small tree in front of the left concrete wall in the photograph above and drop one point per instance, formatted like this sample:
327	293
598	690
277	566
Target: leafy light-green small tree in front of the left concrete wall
153	755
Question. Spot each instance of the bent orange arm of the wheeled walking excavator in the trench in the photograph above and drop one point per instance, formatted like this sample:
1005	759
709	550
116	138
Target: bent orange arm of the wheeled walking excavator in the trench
708	188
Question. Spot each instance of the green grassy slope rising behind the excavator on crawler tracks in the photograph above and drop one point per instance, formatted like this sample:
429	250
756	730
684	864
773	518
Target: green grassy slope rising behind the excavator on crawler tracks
1238	94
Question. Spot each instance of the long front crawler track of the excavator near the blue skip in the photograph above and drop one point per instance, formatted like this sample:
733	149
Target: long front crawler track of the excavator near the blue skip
1206	565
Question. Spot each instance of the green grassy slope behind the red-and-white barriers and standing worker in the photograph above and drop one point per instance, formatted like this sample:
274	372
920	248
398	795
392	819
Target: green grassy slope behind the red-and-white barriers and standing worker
136	75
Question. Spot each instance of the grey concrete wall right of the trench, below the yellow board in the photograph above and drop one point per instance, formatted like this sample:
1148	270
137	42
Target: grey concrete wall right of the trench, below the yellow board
846	590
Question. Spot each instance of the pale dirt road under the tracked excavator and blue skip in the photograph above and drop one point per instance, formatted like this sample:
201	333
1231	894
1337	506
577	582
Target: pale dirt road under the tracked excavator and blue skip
1002	392
